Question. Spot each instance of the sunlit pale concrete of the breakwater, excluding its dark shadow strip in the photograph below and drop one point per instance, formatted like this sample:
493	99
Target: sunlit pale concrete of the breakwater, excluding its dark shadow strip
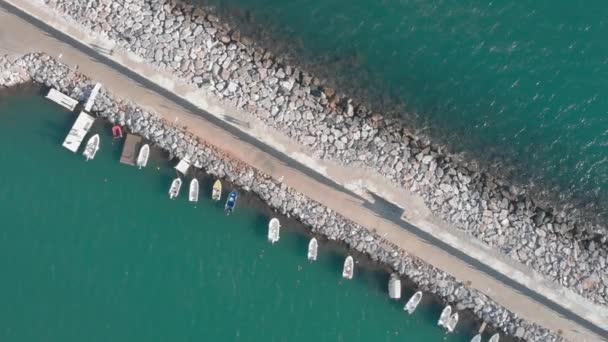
18	36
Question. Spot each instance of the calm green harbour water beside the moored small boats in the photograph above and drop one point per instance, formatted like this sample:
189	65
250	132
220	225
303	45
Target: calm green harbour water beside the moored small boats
95	251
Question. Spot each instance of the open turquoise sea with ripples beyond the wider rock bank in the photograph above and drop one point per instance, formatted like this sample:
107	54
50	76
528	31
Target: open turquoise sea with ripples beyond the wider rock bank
522	82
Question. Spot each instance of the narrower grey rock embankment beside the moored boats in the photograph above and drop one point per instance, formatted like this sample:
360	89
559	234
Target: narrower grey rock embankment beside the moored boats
44	70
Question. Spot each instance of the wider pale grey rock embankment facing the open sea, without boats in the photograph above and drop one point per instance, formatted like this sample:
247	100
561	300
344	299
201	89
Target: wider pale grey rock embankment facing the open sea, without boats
196	47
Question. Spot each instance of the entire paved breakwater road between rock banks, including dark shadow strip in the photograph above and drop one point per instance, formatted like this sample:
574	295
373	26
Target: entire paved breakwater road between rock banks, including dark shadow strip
327	183
